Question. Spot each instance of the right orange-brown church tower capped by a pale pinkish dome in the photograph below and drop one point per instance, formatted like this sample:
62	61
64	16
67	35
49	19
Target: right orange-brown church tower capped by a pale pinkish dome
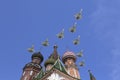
69	59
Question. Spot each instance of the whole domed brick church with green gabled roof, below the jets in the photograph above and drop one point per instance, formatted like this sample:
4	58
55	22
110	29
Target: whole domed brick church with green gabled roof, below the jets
54	67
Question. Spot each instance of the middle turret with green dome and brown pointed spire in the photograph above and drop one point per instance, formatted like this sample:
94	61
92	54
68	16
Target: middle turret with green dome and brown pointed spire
51	60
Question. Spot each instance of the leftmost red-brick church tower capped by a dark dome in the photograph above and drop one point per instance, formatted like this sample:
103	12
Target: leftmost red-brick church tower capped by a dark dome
32	68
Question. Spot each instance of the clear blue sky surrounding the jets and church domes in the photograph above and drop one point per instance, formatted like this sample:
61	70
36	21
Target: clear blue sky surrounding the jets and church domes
27	22
